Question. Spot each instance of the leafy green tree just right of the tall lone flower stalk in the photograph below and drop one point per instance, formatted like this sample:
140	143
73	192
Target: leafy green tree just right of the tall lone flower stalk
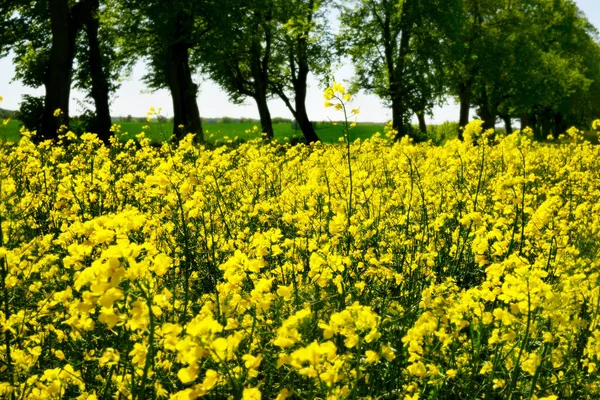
391	44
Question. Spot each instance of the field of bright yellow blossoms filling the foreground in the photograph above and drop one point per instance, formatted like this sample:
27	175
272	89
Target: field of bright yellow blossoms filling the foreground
379	270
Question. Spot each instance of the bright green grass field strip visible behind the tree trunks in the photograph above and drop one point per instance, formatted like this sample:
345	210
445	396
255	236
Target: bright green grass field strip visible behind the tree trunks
328	133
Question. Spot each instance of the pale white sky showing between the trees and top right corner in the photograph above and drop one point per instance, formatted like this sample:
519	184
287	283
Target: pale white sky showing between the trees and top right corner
134	98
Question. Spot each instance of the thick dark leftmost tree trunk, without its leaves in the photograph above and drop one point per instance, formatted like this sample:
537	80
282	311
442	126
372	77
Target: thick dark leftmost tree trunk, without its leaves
57	79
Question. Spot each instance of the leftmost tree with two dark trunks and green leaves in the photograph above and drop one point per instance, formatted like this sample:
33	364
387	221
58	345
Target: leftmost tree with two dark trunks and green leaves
44	40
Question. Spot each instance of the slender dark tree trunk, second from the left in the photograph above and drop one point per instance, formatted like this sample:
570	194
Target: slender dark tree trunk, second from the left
100	87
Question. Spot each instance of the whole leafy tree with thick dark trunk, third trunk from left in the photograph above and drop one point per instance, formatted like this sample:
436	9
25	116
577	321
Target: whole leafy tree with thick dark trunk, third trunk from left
166	36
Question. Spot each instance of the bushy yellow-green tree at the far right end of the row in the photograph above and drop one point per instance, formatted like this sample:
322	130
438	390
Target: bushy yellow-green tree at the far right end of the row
563	83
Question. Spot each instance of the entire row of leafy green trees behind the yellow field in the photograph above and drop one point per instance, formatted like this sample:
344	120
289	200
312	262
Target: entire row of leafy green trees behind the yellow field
533	60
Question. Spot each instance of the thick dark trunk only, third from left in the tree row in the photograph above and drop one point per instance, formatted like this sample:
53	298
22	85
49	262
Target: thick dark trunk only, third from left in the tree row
183	89
